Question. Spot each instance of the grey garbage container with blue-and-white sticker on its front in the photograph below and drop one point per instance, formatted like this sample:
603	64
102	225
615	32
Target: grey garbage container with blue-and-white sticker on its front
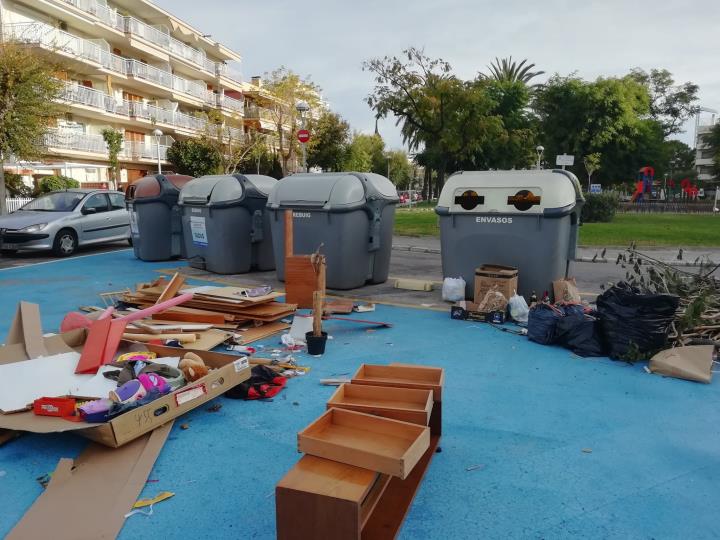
225	225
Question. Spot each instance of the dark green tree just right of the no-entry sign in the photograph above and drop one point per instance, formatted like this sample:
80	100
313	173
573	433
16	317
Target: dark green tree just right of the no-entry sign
328	146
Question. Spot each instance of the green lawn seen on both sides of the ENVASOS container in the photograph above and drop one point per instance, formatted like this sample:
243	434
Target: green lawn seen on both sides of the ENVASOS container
645	229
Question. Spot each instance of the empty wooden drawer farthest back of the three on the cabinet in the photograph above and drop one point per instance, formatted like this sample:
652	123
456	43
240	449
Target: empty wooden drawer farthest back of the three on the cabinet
402	375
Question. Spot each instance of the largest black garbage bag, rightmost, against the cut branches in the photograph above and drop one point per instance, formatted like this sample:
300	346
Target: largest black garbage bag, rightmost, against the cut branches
634	322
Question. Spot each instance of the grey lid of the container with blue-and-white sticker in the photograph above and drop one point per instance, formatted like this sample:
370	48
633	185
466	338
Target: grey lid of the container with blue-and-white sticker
226	189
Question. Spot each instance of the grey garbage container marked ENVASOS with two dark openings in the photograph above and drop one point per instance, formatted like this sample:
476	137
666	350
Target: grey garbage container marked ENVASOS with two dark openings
525	219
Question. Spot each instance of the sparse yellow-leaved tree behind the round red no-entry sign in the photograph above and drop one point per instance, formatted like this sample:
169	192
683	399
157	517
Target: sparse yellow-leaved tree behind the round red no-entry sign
285	90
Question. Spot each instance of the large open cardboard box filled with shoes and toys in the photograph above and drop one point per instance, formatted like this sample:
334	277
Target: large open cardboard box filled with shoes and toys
228	371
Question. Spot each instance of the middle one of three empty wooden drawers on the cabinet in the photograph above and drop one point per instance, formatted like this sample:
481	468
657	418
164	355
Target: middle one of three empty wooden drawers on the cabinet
405	404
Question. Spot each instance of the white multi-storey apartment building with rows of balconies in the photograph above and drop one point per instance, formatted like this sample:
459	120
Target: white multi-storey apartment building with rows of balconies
133	67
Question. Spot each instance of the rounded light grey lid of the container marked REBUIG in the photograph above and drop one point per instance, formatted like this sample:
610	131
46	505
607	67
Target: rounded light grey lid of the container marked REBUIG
330	191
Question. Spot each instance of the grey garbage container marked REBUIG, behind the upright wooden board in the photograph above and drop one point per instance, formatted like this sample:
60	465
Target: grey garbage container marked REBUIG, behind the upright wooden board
352	214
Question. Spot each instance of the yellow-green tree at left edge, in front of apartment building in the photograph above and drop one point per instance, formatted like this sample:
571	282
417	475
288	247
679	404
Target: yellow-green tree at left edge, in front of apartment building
28	90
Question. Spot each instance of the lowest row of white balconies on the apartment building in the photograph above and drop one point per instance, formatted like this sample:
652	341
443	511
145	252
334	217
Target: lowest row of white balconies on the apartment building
64	140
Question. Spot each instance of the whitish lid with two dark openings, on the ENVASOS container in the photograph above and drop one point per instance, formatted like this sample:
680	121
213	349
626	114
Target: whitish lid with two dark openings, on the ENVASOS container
510	192
